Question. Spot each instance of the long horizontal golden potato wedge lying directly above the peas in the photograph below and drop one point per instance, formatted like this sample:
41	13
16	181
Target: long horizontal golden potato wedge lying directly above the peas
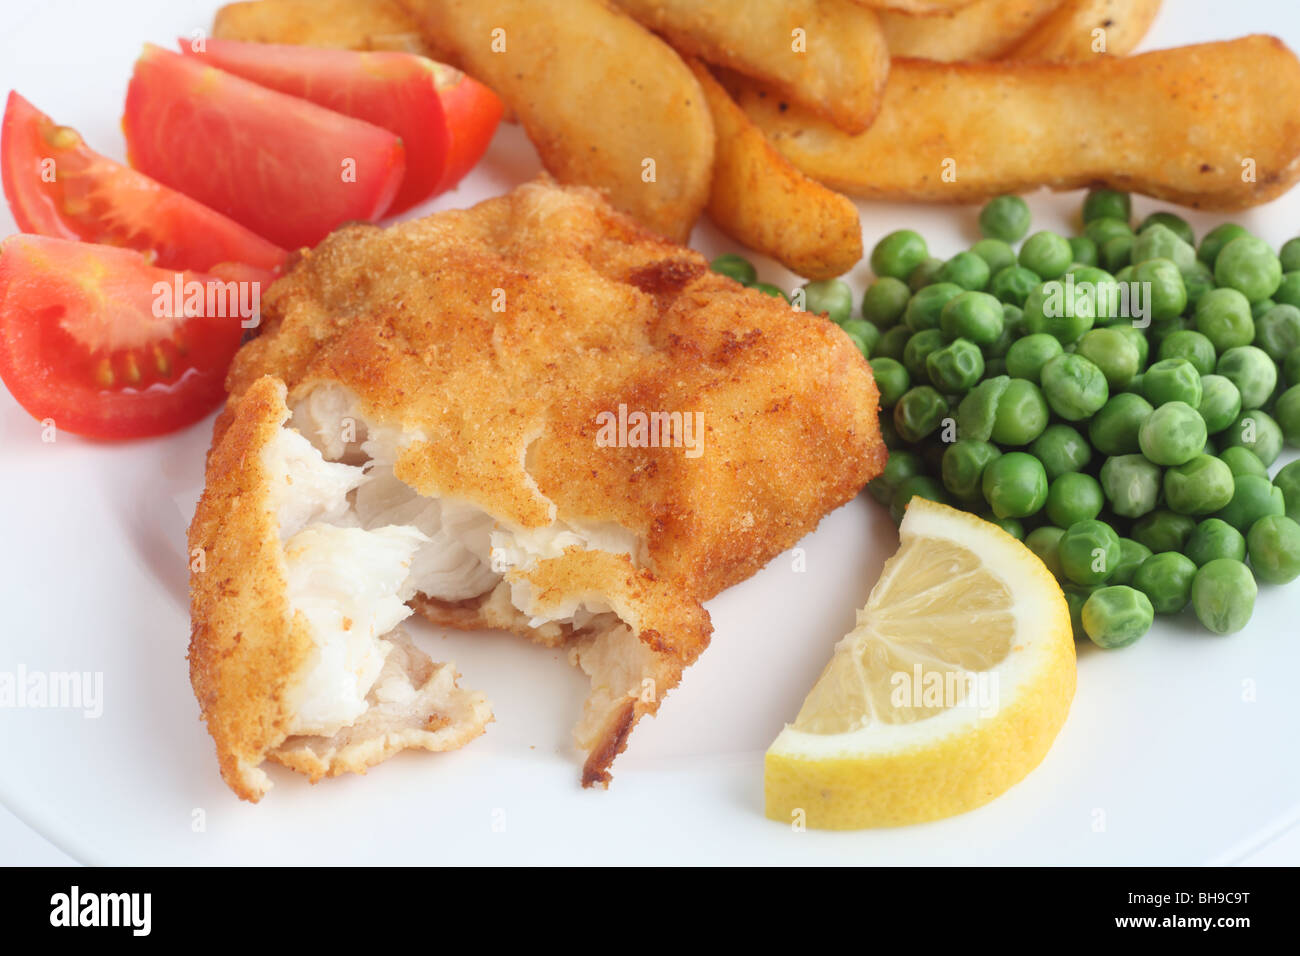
1214	127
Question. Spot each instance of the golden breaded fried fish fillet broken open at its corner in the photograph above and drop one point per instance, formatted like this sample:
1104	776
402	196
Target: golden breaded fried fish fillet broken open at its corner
578	430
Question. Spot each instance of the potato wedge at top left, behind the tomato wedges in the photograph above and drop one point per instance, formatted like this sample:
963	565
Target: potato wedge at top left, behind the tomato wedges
344	24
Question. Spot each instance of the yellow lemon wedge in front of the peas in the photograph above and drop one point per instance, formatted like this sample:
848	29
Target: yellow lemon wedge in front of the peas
951	689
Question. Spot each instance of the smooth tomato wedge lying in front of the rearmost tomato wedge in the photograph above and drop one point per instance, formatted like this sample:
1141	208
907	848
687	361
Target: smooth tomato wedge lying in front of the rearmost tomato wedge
284	167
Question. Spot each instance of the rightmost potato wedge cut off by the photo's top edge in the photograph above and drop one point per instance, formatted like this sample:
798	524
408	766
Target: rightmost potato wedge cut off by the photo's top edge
1085	29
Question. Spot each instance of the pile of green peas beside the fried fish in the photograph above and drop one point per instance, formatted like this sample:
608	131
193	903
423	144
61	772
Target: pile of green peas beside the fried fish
1128	442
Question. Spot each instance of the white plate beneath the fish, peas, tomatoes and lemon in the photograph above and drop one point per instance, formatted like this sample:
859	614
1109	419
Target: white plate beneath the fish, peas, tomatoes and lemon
1180	750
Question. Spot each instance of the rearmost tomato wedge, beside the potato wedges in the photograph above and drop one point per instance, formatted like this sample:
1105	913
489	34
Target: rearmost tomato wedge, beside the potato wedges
445	119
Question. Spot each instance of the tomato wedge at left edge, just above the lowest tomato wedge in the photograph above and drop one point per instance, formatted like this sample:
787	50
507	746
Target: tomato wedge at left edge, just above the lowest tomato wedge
58	187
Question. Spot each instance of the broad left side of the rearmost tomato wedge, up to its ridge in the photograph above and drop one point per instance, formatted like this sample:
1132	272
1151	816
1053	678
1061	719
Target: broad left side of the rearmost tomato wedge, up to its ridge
395	92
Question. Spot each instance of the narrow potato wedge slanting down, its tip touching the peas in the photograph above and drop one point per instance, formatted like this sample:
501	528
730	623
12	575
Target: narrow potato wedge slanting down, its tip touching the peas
759	198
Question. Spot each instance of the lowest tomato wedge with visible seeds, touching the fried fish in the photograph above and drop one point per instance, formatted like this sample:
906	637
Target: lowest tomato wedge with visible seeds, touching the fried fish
99	341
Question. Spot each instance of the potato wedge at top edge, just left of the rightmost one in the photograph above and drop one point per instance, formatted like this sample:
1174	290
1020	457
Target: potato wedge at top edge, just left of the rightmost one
985	31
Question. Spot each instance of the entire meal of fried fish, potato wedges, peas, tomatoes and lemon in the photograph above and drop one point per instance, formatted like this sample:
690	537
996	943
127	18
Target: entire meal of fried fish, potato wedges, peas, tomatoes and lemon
547	416
